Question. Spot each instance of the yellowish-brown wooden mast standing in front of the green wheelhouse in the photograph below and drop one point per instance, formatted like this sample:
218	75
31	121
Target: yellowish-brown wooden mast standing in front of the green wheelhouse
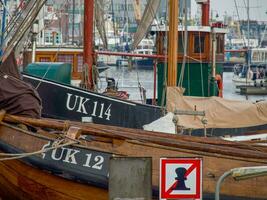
172	43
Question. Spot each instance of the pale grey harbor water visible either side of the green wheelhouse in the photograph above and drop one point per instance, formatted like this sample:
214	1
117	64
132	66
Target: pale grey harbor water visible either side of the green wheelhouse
131	80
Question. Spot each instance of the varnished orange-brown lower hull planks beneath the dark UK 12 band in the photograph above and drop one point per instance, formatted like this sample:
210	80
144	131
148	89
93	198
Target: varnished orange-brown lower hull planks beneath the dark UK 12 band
22	181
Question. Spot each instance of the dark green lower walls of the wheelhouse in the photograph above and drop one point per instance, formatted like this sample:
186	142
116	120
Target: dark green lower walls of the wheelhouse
197	81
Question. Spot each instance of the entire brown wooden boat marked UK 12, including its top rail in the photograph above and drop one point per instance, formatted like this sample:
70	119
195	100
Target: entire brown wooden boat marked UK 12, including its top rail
53	166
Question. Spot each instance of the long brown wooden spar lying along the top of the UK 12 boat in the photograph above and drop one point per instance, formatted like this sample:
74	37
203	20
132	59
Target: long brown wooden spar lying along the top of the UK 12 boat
247	151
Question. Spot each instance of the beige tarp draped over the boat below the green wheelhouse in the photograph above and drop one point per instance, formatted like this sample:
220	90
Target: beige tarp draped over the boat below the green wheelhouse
220	113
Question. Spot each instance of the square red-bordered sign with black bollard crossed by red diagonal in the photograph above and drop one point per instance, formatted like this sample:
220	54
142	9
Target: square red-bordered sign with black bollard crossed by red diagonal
180	178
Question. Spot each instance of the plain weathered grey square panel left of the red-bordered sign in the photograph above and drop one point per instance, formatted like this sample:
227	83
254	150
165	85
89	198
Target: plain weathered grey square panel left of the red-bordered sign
130	178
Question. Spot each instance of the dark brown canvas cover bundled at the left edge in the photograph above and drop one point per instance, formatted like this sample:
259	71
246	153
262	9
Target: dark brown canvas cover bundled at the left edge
16	96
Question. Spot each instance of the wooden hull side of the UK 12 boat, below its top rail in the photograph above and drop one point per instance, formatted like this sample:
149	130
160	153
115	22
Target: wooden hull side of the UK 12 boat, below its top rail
60	176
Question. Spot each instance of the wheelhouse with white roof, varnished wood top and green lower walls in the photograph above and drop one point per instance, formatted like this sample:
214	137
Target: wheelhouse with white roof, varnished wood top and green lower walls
205	52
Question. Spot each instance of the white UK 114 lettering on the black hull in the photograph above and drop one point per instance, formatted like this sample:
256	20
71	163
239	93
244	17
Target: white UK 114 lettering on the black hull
83	105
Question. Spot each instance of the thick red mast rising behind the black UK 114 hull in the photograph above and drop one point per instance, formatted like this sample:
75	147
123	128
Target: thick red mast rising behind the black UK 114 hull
88	39
